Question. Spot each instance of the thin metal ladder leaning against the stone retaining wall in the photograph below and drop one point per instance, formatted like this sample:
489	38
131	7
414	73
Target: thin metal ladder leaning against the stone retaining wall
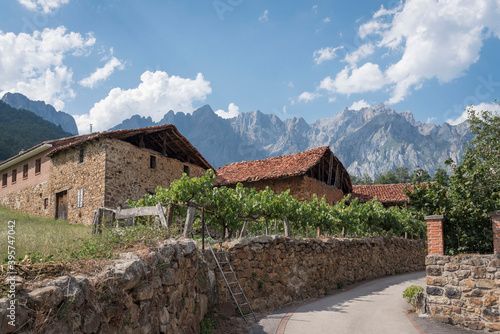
234	286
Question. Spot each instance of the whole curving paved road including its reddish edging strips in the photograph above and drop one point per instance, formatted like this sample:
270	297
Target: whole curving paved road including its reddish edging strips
371	307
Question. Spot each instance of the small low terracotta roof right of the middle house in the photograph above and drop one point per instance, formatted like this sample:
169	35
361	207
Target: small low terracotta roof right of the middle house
389	194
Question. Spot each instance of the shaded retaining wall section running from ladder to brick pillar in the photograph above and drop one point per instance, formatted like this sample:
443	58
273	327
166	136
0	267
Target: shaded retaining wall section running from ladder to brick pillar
274	270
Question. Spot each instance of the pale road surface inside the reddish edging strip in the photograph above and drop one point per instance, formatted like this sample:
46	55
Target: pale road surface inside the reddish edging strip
374	307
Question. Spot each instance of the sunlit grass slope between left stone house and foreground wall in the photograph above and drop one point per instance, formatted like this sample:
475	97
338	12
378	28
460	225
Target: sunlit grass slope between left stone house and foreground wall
43	239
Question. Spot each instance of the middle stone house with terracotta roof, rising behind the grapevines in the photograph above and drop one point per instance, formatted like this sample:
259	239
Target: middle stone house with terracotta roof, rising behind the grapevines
316	171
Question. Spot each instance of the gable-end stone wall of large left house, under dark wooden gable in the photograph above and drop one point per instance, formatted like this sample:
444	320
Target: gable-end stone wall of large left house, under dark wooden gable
128	175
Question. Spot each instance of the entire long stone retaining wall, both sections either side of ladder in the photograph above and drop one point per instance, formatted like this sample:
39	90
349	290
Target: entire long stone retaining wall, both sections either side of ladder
169	288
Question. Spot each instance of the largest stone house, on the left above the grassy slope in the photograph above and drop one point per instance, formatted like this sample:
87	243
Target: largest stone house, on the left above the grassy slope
71	177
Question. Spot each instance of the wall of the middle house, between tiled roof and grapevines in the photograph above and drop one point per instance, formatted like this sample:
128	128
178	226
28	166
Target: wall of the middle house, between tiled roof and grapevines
301	187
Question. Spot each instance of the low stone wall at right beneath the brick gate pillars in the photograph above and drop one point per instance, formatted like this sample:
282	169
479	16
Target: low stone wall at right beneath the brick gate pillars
464	290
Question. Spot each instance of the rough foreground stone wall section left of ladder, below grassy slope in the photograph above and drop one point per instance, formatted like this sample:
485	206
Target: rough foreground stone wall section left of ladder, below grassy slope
162	290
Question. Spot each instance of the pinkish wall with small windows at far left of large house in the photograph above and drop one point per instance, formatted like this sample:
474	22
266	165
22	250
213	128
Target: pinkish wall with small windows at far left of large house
28	194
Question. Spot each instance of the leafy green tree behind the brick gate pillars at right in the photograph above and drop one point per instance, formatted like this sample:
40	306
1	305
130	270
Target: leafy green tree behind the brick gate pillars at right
474	190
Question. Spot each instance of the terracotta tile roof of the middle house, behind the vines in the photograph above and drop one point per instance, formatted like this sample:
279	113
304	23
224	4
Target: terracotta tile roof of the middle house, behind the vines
275	168
